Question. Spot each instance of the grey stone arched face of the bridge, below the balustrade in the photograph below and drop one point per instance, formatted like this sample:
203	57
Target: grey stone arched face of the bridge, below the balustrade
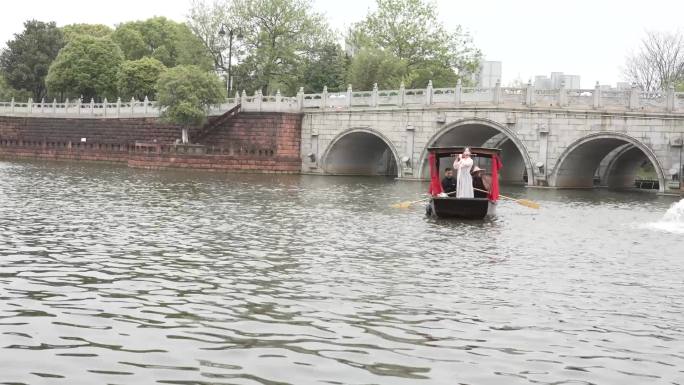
555	147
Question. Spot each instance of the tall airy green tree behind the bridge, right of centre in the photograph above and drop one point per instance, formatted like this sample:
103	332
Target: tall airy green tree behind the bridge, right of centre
410	30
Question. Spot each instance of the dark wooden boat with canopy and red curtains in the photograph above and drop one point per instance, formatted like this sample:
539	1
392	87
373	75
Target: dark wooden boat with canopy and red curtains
464	208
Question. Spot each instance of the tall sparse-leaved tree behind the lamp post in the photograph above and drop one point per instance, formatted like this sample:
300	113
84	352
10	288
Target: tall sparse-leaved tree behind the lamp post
278	38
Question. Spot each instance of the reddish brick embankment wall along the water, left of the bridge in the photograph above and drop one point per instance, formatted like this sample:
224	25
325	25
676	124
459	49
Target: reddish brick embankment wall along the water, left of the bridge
250	142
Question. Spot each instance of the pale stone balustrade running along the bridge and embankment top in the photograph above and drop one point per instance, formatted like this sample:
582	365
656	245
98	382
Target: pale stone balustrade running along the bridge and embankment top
667	101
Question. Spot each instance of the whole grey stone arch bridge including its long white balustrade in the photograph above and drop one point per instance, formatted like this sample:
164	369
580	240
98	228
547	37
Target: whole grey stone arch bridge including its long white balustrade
574	138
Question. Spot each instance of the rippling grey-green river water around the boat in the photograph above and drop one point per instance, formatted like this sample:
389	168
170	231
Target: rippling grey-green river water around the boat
110	275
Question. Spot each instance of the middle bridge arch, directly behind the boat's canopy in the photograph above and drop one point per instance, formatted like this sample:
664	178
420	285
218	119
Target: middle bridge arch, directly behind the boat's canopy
479	132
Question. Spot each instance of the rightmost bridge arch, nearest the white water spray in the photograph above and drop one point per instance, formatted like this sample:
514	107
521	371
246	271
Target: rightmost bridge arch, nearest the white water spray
578	164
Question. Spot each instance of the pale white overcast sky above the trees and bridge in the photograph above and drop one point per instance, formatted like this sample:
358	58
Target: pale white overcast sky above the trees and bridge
589	38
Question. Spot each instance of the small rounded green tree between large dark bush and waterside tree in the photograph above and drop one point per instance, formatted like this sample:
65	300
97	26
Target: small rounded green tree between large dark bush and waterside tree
138	78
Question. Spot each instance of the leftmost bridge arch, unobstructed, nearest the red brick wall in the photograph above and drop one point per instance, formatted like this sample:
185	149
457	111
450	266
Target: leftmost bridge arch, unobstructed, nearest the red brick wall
361	151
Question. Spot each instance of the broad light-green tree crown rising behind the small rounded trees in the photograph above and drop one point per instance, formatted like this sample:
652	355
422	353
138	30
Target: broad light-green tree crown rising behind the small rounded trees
165	40
